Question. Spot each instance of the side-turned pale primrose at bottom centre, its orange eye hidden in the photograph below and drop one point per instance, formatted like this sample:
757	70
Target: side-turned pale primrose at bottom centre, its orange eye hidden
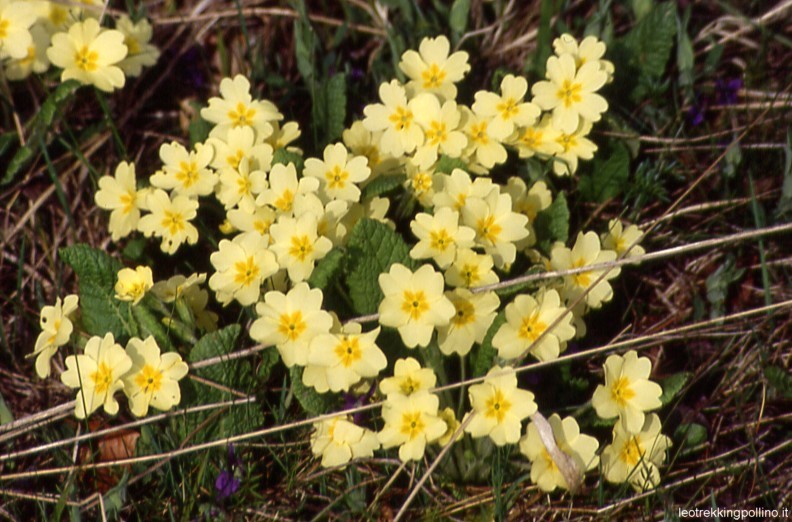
338	440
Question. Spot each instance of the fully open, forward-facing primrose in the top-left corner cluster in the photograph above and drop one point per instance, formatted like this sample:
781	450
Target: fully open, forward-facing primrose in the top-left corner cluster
90	55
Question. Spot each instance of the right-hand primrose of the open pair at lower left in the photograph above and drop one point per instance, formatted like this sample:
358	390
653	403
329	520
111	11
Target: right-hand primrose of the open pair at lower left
153	378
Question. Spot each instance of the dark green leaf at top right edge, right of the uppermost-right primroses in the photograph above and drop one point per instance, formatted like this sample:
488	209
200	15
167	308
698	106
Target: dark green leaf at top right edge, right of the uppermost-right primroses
651	40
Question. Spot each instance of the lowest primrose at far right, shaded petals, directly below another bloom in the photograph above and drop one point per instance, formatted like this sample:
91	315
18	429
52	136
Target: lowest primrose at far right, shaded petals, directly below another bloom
635	457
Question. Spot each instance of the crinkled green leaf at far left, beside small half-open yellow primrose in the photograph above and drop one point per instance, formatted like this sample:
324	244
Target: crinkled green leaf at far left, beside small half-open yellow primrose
96	272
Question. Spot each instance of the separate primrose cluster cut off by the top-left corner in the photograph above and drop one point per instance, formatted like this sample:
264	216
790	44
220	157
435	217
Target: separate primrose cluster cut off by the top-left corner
35	35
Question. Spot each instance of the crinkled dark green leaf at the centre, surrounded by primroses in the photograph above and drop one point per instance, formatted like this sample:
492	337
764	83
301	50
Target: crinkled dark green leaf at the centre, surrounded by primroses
373	247
